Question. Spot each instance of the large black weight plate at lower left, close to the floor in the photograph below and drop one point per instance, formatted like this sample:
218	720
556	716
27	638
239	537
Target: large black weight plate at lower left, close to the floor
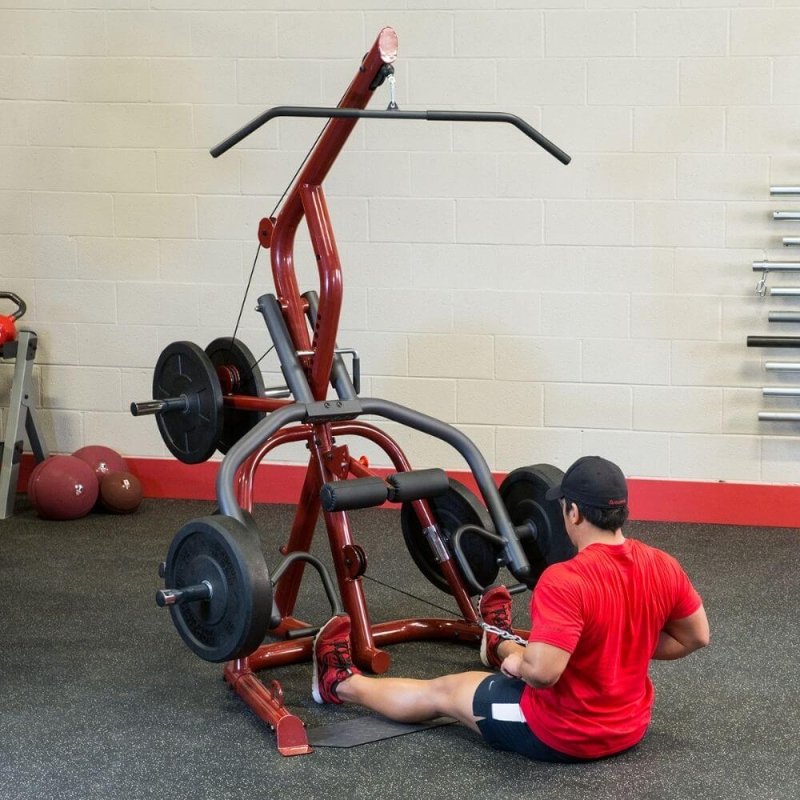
227	554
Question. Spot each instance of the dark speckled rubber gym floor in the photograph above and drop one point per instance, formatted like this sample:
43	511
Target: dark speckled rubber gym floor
101	699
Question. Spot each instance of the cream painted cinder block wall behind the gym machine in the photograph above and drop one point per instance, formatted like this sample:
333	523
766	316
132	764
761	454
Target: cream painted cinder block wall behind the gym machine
548	311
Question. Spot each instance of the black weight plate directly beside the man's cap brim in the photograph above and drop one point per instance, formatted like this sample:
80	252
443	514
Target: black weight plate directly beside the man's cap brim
523	494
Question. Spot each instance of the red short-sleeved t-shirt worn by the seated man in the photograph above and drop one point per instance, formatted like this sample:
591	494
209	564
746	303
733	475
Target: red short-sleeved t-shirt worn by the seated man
607	607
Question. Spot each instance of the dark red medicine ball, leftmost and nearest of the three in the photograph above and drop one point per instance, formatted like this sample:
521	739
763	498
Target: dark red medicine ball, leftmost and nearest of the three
63	487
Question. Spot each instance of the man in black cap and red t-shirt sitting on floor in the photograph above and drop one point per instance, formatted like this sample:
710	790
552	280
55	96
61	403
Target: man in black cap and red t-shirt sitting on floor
580	689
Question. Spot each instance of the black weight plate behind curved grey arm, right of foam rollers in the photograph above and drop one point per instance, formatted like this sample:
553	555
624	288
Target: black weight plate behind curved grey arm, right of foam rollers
458	506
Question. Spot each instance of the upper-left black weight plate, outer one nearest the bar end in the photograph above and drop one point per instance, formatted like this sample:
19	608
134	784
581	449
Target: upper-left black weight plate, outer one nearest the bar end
184	370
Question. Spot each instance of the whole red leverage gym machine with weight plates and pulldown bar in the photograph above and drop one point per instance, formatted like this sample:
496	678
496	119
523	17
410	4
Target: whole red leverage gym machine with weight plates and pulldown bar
221	596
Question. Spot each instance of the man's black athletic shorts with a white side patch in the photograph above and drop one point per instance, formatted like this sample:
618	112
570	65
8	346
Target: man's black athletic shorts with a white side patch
503	726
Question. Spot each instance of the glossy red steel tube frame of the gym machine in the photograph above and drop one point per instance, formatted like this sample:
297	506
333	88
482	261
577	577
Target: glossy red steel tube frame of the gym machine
328	461
